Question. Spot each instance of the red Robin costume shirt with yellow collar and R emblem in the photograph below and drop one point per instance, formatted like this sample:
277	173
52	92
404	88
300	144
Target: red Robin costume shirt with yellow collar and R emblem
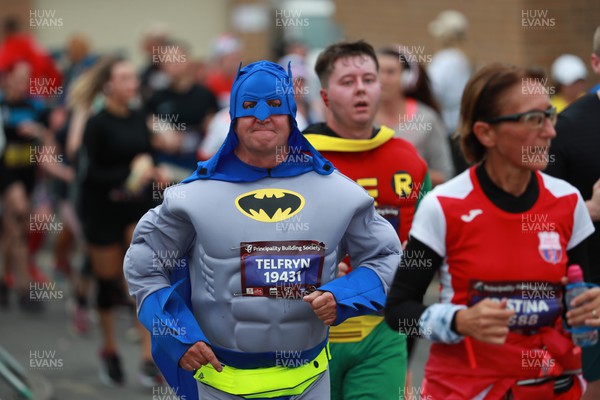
390	170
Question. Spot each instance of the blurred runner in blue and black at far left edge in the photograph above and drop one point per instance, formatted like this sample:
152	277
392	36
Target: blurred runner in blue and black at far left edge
22	118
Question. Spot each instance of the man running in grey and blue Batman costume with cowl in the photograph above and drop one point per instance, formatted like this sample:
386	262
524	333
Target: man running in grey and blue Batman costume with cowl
234	273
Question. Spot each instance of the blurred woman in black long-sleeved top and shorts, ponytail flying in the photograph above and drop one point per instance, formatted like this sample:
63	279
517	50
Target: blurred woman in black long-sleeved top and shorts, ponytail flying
117	169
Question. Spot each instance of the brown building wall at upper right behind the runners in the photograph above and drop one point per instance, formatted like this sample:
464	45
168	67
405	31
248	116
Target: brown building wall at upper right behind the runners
497	29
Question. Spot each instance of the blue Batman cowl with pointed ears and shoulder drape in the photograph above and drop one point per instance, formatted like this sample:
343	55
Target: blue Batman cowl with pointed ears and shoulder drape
260	83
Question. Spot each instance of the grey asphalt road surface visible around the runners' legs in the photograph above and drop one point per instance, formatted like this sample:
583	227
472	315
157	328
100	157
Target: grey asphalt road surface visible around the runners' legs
44	345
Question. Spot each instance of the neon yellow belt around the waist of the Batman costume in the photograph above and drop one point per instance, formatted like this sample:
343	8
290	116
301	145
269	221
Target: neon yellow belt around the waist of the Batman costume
265	382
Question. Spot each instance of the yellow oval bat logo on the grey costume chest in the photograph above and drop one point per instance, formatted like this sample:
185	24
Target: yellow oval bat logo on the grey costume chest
270	205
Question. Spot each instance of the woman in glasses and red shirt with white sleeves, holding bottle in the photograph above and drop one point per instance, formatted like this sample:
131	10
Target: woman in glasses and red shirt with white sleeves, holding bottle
501	235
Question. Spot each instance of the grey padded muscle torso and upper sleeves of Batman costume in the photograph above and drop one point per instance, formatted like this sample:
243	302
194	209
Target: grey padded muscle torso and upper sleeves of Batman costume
201	220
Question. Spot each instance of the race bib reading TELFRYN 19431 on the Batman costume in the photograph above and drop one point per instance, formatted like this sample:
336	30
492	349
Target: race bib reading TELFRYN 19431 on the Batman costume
284	270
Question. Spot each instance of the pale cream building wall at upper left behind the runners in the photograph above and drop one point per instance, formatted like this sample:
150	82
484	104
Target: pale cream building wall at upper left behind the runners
117	25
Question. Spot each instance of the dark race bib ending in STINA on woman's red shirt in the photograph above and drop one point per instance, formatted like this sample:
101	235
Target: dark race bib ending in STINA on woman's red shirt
536	303
